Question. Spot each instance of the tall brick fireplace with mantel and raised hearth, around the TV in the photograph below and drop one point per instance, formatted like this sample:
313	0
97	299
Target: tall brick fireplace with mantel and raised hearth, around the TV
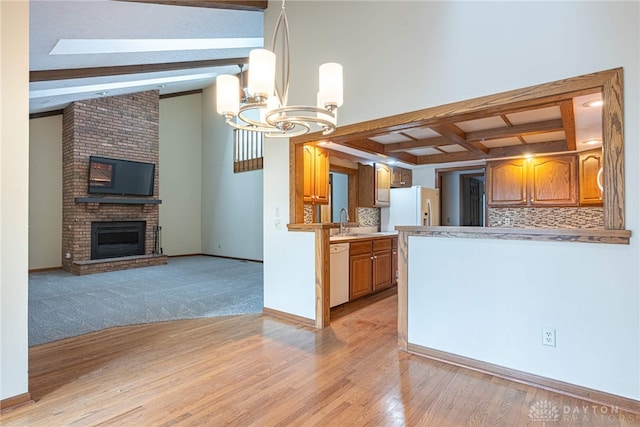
122	127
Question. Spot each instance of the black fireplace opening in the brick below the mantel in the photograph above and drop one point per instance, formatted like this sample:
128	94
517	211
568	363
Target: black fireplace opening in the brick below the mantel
117	239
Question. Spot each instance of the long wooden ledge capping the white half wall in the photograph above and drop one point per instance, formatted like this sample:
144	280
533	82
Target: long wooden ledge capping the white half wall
620	237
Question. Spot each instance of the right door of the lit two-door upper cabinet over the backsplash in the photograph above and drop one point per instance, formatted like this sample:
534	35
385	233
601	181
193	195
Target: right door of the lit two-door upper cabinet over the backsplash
553	181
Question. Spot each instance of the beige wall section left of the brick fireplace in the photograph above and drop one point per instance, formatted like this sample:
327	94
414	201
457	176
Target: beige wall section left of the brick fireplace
45	192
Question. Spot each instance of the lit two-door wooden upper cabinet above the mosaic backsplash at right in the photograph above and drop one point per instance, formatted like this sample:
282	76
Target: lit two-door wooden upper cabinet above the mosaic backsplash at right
541	181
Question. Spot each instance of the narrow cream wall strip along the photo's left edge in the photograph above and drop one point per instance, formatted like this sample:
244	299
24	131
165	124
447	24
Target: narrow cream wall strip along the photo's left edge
14	196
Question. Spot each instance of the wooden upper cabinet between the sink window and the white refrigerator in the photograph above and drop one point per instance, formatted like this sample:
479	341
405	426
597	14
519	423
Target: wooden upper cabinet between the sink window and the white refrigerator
374	185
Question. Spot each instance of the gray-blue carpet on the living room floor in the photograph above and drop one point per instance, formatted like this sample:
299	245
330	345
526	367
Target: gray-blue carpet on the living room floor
63	305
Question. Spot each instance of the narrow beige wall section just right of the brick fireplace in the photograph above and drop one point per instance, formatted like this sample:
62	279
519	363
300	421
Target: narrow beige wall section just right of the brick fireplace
181	174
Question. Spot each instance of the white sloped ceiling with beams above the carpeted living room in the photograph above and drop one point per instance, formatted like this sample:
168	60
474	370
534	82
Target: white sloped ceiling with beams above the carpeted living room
132	34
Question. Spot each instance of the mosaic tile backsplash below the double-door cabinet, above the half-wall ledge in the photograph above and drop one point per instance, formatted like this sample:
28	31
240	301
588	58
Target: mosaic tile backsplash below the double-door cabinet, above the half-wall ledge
588	218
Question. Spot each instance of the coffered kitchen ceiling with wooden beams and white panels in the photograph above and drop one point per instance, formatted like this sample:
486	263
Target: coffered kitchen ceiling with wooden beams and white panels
567	124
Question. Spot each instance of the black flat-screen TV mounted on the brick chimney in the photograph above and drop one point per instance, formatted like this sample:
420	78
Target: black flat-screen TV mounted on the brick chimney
123	177
